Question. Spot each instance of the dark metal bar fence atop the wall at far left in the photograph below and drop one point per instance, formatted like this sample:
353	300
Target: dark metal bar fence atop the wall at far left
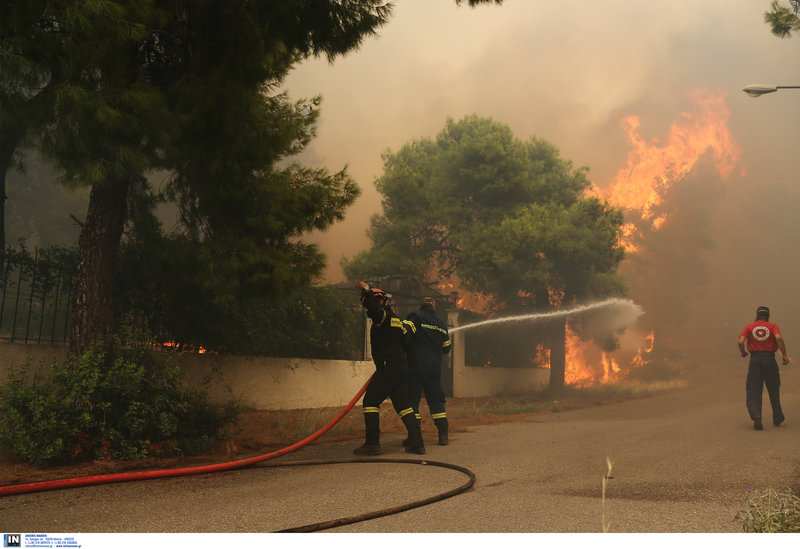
36	302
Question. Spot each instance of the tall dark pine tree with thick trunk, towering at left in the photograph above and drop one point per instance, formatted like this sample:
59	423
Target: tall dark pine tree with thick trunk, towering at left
187	87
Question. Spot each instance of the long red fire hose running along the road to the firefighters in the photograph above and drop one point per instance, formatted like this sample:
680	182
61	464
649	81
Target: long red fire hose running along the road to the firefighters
165	473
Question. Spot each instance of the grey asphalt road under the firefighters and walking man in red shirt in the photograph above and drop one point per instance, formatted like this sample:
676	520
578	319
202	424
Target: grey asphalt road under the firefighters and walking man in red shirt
682	462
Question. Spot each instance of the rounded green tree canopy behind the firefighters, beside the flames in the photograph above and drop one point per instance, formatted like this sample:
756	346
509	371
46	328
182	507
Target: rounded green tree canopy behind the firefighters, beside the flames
509	218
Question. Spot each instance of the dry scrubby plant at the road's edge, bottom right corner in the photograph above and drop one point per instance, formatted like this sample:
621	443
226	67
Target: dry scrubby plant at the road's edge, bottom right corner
771	511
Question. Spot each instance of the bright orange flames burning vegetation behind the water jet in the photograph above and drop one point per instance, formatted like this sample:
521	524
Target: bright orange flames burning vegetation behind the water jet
642	189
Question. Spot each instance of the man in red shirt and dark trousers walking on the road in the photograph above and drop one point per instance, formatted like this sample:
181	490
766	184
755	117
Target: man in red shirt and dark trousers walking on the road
763	338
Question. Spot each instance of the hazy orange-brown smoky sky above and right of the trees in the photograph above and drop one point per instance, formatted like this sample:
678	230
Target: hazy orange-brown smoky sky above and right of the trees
567	72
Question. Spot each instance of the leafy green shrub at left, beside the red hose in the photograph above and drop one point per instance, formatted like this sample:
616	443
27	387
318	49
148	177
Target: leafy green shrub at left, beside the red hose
128	406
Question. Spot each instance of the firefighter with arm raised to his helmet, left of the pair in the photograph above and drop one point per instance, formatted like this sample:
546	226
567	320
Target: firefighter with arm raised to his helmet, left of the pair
390	338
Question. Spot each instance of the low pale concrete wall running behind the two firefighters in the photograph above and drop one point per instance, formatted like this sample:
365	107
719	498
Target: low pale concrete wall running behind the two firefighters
291	383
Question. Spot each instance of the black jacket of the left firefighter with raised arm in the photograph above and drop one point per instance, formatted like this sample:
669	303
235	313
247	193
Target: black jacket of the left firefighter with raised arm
389	336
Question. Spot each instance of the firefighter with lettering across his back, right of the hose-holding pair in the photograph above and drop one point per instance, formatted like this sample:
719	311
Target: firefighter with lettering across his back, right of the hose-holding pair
431	341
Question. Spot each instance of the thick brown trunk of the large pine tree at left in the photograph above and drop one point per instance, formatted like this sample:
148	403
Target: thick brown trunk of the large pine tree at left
93	306
